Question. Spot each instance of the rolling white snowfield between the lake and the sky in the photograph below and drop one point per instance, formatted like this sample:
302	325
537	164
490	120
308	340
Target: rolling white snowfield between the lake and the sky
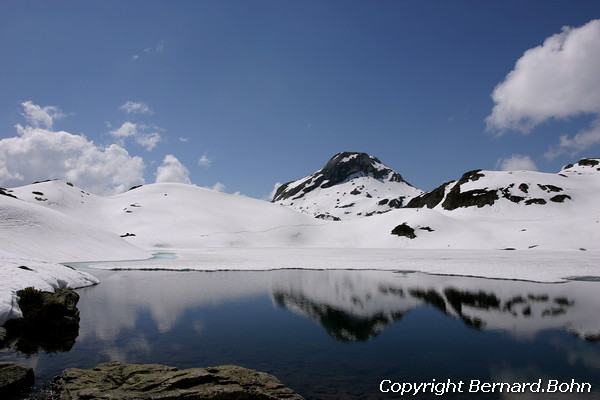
516	229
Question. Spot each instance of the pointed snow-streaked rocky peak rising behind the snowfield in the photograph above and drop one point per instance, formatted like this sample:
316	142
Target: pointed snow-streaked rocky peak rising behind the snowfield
350	185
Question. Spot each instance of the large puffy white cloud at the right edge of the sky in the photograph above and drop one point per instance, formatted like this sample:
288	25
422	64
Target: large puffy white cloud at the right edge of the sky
556	80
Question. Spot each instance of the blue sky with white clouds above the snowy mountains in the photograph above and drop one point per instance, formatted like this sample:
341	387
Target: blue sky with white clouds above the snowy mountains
241	96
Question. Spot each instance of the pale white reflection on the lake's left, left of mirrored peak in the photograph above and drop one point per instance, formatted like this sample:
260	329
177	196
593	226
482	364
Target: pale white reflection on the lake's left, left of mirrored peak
165	295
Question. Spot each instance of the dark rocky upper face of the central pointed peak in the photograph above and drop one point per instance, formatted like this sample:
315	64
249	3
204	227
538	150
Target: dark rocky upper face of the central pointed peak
338	169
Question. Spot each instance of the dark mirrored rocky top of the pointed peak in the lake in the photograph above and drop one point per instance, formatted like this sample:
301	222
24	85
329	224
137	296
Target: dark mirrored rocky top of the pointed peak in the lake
341	325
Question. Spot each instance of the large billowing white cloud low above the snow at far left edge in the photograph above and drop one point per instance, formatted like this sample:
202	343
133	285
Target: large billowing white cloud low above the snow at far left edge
40	154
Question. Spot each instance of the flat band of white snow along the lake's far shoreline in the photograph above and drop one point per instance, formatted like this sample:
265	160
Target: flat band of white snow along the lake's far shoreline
527	265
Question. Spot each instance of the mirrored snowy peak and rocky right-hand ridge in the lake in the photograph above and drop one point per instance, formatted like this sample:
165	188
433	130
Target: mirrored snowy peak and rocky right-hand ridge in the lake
359	305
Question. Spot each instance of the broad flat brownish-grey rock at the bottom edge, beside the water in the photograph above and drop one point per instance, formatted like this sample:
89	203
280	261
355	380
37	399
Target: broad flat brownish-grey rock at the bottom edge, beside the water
122	381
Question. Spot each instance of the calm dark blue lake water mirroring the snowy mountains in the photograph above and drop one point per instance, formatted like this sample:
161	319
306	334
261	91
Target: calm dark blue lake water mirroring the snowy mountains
339	334
